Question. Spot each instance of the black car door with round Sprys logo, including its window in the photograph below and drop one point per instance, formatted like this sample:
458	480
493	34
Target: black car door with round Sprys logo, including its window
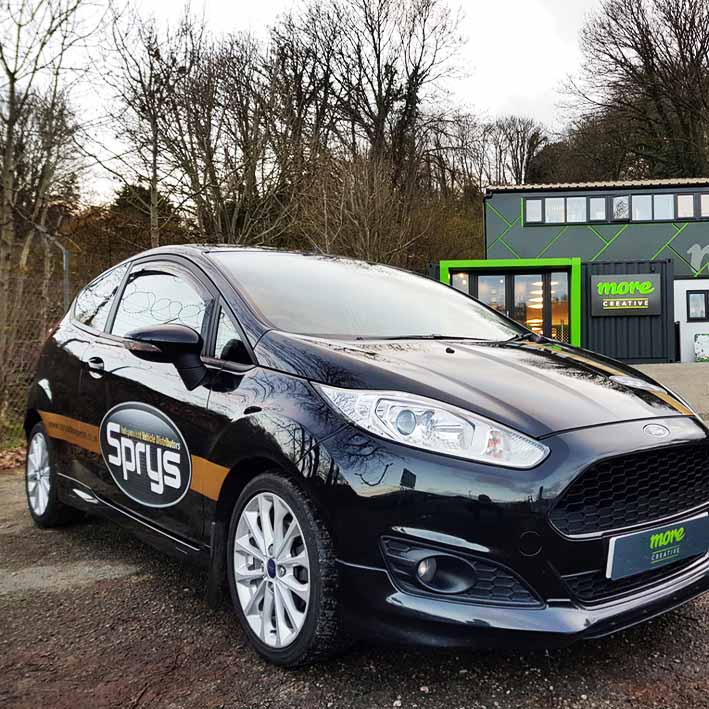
153	428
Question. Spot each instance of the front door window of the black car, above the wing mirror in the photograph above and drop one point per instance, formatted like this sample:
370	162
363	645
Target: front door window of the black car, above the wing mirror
158	296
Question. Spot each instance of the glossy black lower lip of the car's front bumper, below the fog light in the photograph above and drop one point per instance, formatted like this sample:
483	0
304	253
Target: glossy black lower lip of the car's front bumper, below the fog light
376	610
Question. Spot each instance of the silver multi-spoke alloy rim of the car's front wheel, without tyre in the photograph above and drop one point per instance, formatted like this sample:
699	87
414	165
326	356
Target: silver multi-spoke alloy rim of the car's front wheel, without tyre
272	569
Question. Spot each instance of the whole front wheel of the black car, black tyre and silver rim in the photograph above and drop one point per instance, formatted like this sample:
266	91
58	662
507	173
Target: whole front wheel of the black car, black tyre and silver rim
285	627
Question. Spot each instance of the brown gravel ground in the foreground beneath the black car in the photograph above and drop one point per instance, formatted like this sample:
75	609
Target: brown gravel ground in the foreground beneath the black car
90	617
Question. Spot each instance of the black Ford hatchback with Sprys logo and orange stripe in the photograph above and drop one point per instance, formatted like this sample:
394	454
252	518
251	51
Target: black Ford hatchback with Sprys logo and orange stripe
356	451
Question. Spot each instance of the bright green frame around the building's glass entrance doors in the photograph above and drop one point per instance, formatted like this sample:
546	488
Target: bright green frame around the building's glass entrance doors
573	264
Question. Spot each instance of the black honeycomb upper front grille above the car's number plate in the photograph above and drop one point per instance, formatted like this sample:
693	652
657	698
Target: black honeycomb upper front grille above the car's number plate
634	489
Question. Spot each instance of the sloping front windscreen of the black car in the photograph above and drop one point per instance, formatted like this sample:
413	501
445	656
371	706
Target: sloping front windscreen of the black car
322	295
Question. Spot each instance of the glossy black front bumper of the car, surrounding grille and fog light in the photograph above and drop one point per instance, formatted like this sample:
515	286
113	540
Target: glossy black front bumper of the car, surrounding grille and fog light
480	512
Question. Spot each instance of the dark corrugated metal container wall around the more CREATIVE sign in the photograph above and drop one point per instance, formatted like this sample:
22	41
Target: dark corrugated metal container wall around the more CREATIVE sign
639	338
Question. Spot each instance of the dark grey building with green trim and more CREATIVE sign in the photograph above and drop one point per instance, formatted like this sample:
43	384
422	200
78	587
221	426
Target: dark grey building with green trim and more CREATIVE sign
547	248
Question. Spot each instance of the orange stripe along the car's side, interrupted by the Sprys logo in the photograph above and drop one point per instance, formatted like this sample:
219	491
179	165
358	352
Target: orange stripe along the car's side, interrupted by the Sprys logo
207	477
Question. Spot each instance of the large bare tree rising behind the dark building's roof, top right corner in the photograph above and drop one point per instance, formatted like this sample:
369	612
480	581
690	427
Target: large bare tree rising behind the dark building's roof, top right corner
647	62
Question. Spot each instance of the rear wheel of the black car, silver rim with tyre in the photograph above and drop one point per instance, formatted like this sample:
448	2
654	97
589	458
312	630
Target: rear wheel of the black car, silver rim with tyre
46	508
